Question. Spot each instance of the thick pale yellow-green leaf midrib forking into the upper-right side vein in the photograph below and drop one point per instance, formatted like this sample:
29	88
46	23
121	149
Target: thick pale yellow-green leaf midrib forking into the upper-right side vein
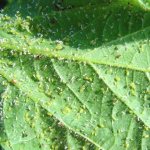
72	55
